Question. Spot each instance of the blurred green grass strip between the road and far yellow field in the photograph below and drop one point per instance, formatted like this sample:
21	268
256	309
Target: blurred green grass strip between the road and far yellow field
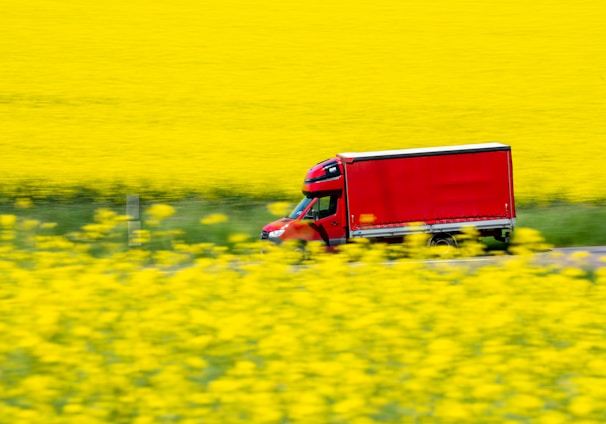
562	225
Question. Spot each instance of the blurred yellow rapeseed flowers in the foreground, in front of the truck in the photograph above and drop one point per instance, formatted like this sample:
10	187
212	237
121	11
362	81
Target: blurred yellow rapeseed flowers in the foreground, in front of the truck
198	335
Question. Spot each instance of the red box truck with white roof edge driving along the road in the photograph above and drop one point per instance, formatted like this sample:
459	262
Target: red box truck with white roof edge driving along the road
387	195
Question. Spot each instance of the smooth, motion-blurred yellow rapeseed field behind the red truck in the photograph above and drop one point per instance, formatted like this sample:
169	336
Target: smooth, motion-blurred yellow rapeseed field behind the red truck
189	96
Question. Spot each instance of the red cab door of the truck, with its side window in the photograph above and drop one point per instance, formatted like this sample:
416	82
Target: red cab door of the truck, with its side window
326	219
